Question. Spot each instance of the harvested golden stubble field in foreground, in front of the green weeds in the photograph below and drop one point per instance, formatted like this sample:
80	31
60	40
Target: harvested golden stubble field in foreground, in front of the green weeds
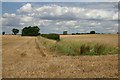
25	57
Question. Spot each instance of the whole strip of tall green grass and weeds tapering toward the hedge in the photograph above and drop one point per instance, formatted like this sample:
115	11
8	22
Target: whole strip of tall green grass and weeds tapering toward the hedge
76	48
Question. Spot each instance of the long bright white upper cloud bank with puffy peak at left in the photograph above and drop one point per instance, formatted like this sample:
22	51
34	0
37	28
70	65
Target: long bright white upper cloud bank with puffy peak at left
53	12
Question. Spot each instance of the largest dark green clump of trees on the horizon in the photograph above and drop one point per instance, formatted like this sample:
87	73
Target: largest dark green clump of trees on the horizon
30	31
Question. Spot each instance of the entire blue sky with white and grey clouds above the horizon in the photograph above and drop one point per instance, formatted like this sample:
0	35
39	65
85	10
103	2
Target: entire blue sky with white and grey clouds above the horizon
55	17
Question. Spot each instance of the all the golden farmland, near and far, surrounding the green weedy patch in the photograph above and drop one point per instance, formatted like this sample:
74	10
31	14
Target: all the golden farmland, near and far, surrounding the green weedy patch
33	57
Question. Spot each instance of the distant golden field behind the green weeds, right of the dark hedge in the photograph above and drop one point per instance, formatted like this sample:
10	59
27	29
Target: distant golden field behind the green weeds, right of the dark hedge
109	39
